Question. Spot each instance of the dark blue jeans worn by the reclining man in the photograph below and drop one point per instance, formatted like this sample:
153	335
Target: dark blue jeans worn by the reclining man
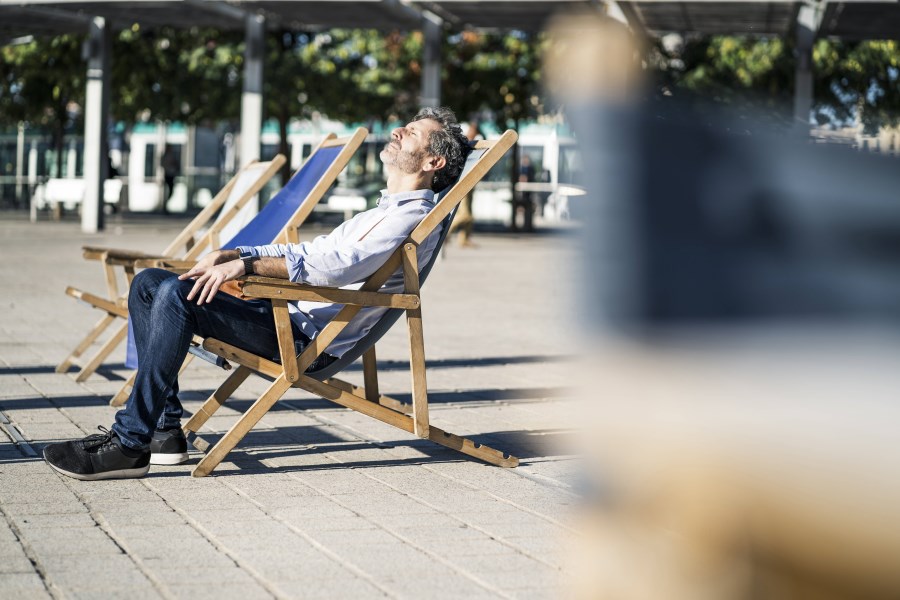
164	323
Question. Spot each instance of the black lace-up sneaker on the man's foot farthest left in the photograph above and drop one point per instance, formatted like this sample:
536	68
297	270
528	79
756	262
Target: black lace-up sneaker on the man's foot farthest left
98	456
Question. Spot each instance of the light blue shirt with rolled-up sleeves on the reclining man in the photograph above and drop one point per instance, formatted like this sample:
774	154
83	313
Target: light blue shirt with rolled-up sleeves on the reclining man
348	255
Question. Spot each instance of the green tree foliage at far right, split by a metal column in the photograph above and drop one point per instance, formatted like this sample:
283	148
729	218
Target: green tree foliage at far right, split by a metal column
851	80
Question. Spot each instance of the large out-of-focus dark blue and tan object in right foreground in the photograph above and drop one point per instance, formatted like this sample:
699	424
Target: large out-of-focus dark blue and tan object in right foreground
741	290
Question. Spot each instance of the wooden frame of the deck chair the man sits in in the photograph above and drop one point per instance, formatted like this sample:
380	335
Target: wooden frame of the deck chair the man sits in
291	372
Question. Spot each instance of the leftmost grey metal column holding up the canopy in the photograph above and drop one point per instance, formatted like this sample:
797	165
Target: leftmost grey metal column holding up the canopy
96	111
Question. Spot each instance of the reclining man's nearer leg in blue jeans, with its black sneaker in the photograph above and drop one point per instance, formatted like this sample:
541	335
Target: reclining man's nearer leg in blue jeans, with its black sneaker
164	323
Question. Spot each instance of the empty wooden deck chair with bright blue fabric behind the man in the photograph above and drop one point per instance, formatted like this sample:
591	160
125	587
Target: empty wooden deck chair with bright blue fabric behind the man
278	222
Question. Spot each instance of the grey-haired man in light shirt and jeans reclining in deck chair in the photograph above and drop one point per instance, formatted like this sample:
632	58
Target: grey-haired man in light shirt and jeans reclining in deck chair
166	310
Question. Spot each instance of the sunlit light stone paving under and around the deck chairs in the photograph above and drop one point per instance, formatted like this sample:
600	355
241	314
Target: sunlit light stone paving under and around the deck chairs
317	502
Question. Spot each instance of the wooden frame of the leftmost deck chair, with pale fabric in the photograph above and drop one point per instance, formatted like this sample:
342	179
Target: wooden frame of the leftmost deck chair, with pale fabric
190	239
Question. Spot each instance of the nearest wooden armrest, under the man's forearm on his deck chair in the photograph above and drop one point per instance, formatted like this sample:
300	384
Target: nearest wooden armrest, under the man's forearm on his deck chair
281	289
